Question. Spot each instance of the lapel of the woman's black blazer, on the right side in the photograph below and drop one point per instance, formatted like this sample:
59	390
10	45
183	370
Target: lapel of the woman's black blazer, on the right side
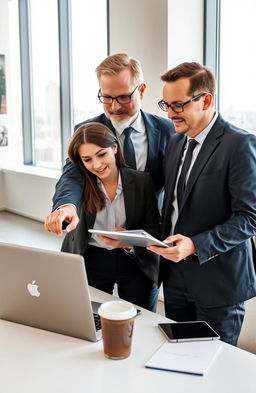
129	196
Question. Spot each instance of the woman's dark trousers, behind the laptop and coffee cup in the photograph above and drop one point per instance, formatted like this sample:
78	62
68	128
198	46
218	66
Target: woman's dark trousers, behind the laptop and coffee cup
105	268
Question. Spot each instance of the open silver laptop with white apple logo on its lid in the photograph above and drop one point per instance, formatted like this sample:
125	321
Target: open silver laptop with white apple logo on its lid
47	290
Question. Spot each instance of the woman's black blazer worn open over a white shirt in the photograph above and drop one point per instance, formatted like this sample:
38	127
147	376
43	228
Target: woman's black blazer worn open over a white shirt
141	212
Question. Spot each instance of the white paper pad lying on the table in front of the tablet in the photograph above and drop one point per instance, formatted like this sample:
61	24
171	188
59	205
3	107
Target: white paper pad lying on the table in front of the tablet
188	357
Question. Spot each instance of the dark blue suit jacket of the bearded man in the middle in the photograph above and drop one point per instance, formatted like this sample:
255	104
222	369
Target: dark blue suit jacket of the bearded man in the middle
70	186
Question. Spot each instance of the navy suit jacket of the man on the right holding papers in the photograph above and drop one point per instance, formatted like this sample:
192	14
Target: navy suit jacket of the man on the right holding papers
218	213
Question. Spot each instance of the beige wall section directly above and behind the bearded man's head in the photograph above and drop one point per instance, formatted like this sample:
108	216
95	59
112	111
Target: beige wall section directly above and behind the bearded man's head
139	28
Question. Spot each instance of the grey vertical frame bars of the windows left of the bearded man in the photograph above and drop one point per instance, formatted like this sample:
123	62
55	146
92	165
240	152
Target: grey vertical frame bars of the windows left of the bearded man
65	64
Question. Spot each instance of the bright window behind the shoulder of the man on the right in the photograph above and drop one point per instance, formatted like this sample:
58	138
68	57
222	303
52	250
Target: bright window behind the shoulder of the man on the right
229	51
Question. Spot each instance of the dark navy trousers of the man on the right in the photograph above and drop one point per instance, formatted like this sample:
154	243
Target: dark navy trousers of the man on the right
180	306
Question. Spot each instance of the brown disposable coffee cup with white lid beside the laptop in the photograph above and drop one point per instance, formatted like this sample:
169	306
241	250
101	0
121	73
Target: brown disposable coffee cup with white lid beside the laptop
117	319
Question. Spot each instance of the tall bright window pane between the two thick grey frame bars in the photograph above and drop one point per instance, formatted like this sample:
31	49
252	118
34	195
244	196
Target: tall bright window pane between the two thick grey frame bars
45	82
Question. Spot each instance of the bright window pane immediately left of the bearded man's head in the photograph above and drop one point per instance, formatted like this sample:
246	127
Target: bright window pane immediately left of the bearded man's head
89	48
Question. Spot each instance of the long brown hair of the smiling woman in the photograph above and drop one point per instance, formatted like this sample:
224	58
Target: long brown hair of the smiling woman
100	135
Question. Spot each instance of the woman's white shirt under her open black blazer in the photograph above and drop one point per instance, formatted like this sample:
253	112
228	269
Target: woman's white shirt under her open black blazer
112	216
